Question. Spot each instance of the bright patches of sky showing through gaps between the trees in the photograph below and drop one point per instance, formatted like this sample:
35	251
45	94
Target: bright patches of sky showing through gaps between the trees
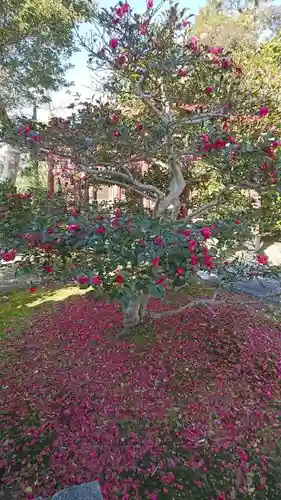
80	74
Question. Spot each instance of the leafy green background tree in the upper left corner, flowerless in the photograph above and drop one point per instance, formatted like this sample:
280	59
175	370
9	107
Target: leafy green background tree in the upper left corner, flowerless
37	39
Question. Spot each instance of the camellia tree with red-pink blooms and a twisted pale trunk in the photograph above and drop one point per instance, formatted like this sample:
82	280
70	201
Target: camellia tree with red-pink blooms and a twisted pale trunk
184	115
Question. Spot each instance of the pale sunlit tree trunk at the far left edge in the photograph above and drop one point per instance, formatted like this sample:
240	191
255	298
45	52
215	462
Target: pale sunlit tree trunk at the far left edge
9	163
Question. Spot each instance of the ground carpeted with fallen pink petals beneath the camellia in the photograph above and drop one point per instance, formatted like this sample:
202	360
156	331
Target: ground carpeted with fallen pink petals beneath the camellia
189	407
